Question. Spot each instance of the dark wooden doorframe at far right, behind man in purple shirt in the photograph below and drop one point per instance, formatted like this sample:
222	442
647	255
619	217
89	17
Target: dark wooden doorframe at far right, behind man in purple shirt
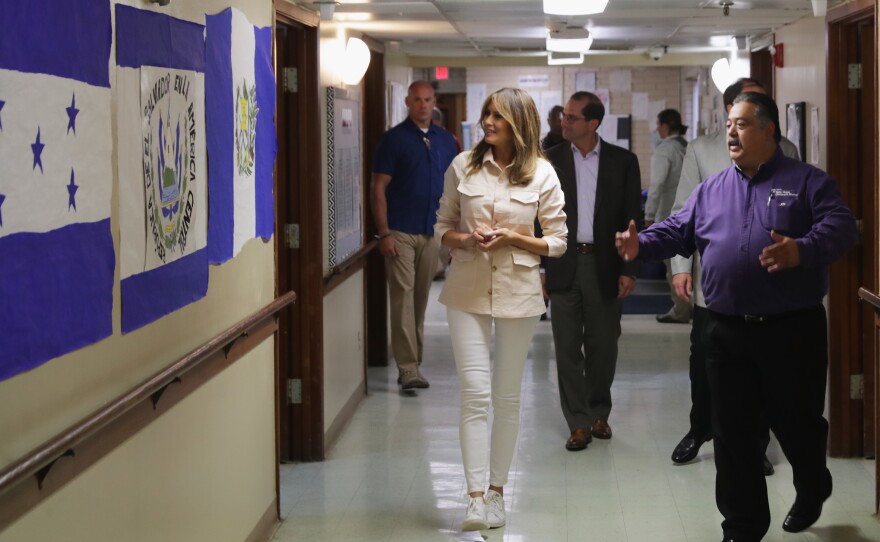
852	134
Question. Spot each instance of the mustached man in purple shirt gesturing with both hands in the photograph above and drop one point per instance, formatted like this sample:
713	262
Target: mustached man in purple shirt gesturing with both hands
766	228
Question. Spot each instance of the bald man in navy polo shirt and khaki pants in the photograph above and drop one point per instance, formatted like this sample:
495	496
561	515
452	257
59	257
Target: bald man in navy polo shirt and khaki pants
407	183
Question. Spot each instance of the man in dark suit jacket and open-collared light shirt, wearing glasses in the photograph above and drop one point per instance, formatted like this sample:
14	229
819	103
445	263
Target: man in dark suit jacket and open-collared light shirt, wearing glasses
602	187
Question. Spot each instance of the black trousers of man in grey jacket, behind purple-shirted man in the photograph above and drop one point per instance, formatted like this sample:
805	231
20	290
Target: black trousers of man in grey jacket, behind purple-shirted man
701	398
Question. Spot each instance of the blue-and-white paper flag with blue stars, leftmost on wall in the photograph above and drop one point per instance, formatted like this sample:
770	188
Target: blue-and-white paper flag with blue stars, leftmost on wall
56	249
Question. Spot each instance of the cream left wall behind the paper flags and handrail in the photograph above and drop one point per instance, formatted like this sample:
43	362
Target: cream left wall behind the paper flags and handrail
187	465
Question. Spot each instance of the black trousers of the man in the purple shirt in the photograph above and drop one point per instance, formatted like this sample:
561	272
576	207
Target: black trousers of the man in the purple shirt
775	369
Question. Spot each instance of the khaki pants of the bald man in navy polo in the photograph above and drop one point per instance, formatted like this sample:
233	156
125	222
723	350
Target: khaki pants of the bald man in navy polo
409	284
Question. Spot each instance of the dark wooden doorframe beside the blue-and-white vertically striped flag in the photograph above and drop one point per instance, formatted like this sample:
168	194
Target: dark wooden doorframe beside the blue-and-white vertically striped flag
298	201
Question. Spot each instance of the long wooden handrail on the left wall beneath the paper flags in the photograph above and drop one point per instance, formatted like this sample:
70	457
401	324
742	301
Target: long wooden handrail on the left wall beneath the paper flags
40	459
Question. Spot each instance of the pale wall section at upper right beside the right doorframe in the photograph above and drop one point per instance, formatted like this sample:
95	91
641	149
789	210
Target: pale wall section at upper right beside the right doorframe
802	79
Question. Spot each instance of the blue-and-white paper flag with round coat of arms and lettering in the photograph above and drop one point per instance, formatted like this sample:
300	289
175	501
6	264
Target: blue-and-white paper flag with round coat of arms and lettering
162	166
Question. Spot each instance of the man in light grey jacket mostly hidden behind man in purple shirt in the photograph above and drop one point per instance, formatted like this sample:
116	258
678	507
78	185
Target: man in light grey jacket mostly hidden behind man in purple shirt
706	156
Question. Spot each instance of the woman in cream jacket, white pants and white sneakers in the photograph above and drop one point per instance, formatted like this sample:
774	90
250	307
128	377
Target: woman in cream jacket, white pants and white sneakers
492	197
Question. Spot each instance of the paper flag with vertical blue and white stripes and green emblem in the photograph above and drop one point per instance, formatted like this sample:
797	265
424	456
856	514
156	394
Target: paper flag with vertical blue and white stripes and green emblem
240	103
